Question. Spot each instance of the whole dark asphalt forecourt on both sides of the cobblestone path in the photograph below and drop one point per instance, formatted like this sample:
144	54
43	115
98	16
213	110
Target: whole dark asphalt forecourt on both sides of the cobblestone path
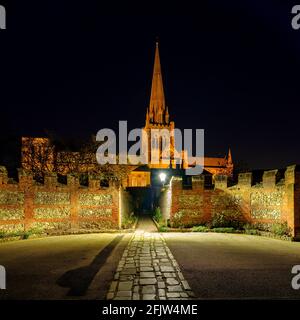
217	266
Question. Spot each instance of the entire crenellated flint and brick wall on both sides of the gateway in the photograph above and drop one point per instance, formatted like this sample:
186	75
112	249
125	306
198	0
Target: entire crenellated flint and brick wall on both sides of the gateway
52	205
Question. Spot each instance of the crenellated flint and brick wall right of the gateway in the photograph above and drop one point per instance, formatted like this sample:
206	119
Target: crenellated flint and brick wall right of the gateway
266	202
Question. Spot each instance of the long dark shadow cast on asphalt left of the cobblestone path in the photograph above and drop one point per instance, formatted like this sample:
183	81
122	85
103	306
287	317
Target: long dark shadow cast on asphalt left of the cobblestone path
78	280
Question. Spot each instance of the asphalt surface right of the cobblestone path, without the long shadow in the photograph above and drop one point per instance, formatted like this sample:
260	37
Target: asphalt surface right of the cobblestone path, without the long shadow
229	266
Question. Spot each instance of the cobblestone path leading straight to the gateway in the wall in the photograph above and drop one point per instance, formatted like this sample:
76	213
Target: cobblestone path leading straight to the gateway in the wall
148	271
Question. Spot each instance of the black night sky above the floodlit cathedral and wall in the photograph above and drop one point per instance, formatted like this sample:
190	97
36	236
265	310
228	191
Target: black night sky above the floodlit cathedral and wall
230	67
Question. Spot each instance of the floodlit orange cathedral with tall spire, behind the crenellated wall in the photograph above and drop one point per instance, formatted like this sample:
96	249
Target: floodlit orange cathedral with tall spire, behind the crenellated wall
157	120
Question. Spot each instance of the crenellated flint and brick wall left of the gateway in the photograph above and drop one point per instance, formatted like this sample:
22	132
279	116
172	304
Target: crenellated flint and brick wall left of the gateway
53	206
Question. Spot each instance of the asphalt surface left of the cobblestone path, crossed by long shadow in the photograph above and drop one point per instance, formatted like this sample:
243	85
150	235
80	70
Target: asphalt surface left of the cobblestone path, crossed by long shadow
65	267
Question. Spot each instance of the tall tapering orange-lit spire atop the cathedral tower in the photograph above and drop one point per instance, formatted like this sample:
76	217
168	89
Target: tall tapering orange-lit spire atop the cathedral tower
157	99
